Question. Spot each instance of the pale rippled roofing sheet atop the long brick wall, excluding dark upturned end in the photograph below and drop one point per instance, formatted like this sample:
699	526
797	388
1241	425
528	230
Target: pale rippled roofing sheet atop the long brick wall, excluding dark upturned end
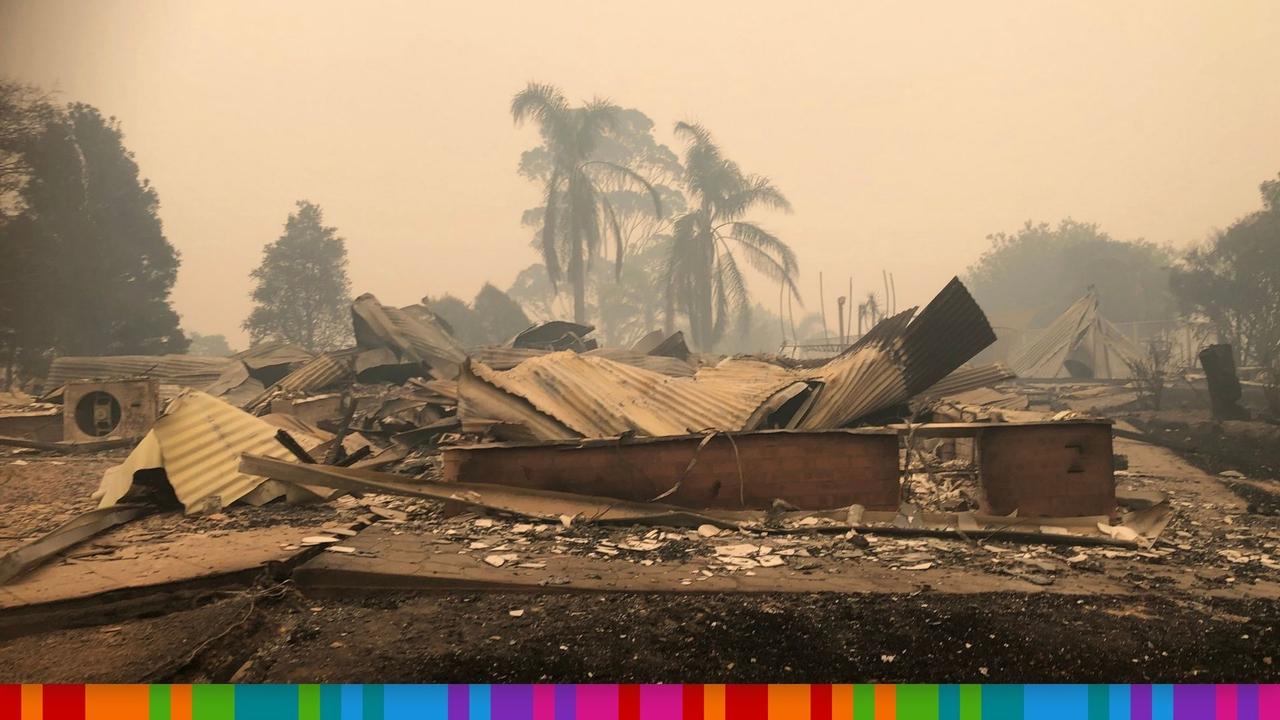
598	398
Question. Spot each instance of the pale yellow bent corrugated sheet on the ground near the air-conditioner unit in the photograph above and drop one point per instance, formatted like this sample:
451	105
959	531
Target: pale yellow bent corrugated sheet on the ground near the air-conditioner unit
199	443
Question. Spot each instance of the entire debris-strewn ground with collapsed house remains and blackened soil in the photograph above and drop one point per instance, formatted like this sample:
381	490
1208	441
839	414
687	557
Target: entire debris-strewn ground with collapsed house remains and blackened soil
414	511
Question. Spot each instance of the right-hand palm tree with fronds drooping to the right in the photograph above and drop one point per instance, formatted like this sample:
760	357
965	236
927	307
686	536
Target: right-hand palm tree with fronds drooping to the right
702	274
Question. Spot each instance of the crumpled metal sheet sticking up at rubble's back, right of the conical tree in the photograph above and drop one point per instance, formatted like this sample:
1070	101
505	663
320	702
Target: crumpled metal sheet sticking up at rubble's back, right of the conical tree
413	336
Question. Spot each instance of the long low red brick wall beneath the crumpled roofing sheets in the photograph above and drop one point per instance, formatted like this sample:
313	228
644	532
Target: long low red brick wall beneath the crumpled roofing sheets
813	471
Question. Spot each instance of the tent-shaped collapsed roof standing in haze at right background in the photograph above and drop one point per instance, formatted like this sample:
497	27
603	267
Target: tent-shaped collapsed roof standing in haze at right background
1080	344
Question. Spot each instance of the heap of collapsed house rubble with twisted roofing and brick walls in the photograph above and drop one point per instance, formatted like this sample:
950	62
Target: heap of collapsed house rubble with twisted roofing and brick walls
875	453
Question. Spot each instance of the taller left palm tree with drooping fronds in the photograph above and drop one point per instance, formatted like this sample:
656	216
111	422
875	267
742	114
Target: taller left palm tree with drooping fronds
578	216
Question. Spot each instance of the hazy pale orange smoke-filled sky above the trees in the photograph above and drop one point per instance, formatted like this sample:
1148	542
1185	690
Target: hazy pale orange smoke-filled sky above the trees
903	134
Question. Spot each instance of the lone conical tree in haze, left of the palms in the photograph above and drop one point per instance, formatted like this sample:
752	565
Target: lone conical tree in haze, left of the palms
301	291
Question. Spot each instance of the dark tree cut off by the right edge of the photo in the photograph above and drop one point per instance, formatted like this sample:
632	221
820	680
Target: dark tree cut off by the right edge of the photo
1235	282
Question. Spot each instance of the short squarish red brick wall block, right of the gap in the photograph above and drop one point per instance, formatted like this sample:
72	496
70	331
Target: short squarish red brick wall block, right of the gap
1048	471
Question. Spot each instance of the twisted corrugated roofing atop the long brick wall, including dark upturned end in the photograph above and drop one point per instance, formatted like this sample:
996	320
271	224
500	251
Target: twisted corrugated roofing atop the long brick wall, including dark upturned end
597	398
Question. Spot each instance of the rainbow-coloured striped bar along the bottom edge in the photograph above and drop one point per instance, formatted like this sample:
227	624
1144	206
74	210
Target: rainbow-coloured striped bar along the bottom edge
639	703
